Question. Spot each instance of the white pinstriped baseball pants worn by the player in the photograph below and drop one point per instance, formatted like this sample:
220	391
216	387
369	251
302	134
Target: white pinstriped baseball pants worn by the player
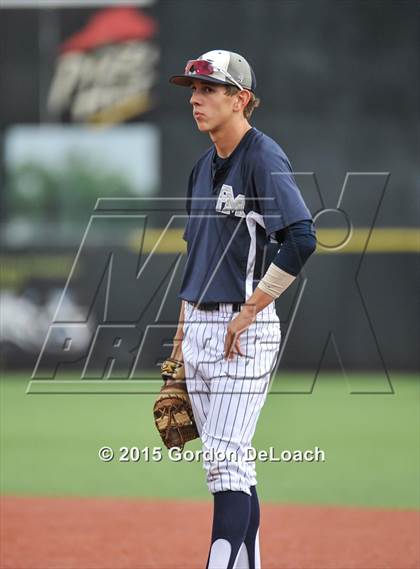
227	396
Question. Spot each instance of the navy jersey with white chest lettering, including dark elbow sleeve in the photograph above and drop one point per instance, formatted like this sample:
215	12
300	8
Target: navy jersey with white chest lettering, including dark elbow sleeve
238	208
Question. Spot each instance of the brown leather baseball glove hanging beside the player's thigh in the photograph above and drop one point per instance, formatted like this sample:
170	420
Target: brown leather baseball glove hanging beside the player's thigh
172	410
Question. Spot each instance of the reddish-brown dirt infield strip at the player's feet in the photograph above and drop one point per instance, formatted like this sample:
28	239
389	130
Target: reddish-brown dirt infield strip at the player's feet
65	533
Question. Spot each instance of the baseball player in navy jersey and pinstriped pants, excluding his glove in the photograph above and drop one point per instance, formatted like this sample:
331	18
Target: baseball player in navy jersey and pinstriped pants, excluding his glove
248	235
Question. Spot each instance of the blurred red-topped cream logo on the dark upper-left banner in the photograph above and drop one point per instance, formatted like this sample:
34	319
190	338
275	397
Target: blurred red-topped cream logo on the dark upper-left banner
106	71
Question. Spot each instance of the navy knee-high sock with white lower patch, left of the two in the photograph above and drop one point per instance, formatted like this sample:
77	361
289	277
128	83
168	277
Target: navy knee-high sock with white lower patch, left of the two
232	510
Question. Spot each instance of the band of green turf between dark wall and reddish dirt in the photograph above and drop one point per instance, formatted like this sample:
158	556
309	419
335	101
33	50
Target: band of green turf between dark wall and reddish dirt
49	445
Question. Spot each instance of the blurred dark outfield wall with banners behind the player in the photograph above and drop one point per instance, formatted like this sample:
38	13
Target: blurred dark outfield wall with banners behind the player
87	114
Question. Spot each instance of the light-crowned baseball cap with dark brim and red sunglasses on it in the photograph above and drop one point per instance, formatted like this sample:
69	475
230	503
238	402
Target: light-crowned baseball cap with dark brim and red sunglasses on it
218	66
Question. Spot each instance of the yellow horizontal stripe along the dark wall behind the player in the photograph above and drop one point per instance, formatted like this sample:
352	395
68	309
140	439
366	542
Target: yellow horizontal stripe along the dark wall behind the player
330	241
